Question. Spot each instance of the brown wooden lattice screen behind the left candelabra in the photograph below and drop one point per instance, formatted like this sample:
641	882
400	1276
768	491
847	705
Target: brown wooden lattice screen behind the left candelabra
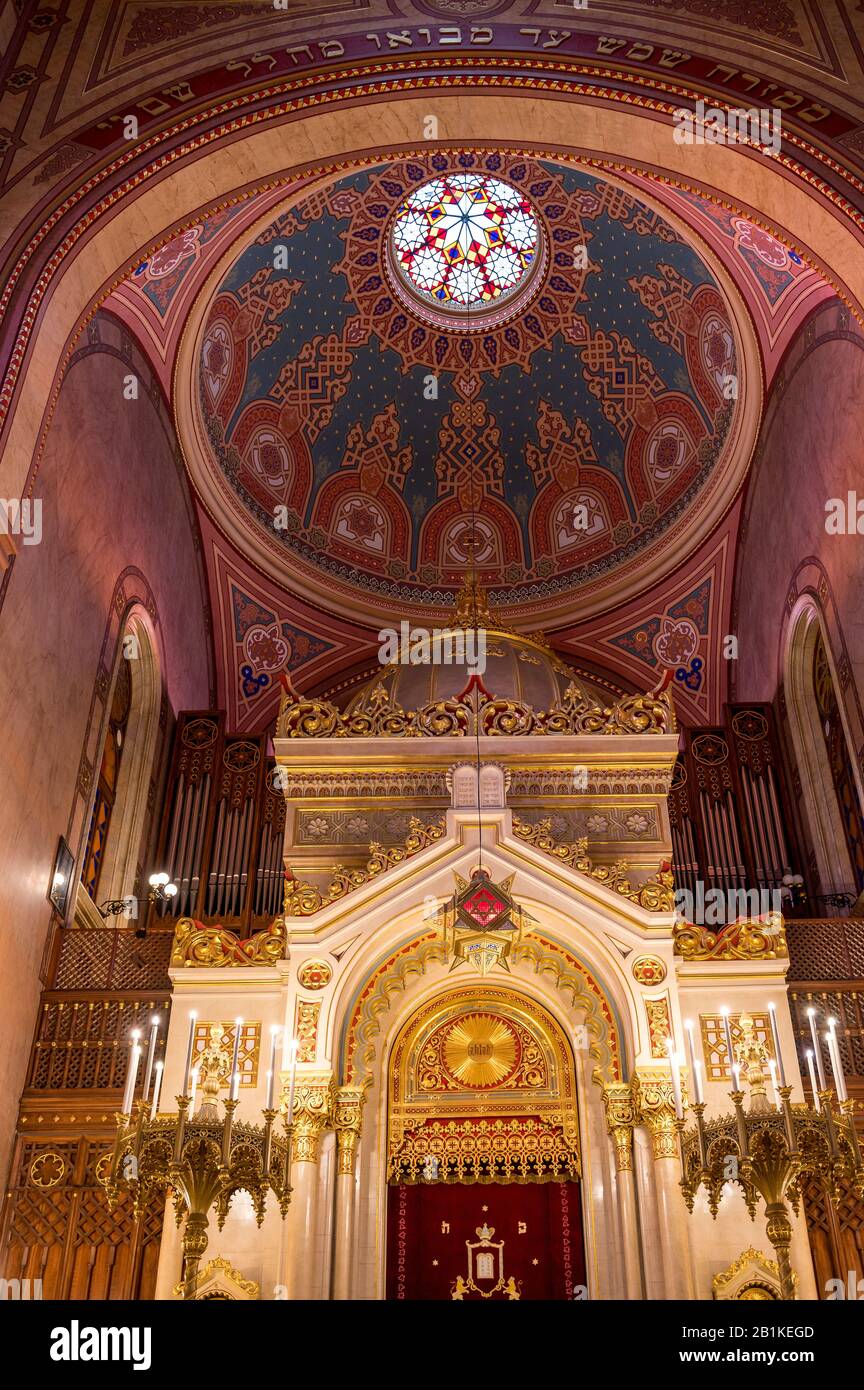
56	1223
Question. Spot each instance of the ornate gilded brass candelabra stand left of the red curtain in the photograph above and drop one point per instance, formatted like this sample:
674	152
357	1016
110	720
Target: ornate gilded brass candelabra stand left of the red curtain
203	1161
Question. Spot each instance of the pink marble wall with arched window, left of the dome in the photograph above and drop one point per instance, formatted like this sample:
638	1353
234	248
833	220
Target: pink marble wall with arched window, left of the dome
115	497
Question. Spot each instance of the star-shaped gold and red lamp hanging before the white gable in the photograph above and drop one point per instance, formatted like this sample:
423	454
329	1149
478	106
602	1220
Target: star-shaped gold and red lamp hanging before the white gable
481	922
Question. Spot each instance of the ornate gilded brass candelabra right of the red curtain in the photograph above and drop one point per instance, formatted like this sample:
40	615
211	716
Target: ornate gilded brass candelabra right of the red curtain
770	1149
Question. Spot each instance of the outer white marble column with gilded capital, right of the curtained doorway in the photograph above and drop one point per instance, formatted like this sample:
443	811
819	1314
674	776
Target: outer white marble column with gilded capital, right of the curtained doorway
656	1109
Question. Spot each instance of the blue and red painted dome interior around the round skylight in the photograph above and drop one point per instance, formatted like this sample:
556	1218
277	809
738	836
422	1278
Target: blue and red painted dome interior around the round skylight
548	433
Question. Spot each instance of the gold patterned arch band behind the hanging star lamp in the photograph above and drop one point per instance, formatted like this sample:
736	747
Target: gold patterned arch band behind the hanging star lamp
412	958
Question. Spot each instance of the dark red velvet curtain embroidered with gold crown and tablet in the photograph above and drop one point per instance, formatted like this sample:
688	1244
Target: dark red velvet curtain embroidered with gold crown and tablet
535	1252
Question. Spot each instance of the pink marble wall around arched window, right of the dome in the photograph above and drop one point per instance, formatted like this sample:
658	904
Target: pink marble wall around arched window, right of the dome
813	450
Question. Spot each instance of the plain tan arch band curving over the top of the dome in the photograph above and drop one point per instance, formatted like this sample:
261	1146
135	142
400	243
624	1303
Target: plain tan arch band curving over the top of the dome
613	129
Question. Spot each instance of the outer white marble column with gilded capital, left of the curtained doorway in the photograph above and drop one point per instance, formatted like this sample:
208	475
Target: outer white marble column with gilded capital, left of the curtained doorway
312	1117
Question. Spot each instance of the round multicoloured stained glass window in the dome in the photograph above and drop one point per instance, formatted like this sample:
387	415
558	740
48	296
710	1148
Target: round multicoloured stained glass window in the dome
465	241
